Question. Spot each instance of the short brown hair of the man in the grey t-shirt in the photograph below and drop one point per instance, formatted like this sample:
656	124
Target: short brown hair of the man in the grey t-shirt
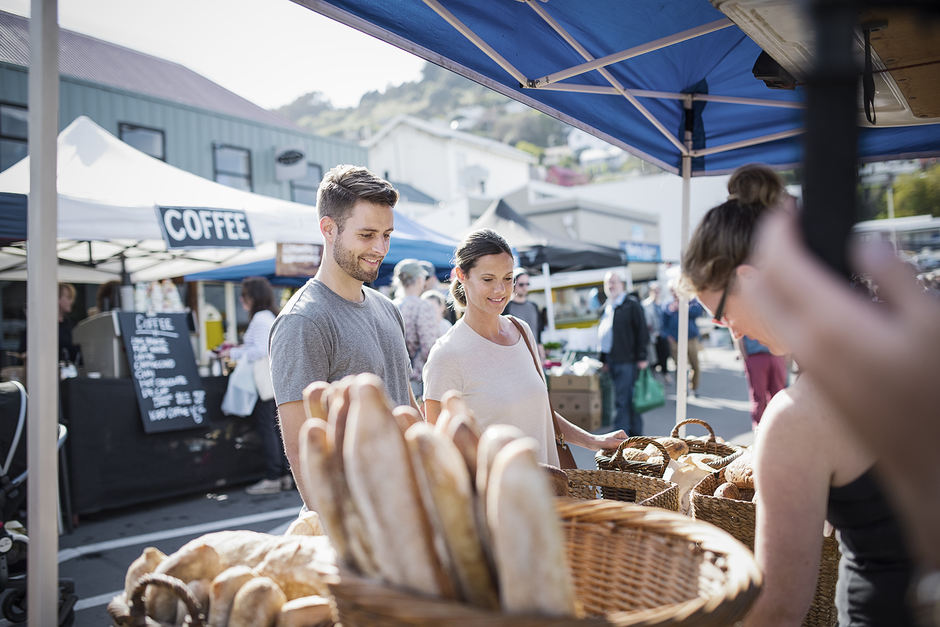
346	185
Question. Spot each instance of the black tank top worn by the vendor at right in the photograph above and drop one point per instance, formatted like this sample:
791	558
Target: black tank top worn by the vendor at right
875	570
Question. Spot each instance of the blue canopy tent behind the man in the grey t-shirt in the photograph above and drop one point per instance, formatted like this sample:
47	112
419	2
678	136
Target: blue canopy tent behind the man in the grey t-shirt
409	240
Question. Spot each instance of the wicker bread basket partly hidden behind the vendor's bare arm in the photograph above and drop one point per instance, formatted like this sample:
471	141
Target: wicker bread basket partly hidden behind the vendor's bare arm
739	519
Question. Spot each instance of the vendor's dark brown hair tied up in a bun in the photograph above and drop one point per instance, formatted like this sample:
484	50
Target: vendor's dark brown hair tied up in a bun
723	240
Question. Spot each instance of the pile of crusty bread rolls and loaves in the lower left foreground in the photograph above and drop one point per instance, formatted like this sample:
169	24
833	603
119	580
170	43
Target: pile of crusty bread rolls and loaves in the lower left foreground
244	578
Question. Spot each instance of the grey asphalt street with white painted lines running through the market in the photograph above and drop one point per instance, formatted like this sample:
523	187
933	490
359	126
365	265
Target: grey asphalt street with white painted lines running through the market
97	553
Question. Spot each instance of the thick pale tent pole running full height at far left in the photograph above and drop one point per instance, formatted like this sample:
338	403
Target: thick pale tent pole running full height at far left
42	317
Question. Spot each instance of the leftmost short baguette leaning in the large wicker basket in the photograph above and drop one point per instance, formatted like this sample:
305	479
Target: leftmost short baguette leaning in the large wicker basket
315	467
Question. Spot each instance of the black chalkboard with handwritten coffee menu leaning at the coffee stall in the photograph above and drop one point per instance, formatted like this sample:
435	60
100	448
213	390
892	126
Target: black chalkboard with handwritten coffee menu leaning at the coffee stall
169	391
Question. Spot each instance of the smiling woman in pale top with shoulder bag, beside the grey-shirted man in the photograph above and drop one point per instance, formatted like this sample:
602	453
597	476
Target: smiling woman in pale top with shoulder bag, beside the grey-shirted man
485	358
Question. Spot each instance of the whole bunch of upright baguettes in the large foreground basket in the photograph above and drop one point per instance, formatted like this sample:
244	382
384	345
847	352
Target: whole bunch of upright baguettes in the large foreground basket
443	511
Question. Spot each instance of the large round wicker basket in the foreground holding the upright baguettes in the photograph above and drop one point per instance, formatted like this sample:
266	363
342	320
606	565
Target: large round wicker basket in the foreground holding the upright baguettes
630	566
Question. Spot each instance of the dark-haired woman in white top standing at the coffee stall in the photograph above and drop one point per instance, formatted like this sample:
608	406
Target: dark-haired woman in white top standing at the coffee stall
258	300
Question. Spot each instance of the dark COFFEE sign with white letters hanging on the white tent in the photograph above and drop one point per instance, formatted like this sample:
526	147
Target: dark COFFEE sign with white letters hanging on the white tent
192	227
